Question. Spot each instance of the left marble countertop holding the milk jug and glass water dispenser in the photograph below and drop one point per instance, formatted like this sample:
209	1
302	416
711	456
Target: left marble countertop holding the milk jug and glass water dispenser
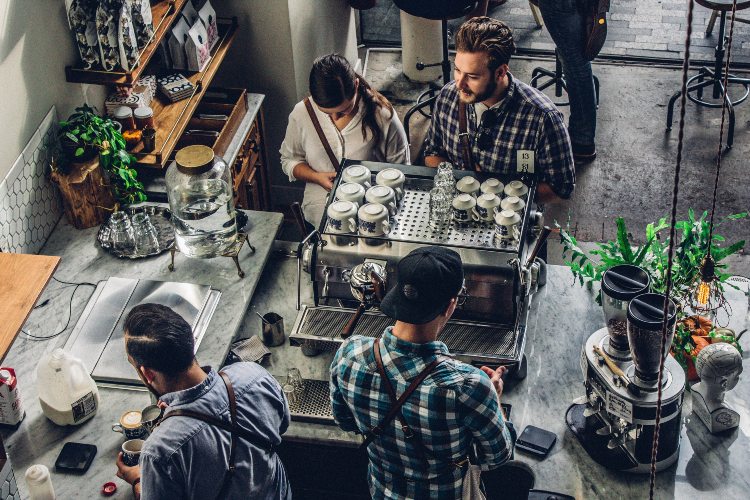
38	440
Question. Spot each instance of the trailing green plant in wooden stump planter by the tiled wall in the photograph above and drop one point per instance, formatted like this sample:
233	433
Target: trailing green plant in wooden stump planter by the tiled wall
84	133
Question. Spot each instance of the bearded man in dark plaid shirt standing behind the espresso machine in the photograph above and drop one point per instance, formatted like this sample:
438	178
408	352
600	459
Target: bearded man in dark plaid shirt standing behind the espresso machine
510	126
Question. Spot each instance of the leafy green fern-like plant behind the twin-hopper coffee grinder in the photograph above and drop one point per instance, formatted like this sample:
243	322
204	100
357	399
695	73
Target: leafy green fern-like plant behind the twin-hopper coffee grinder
693	332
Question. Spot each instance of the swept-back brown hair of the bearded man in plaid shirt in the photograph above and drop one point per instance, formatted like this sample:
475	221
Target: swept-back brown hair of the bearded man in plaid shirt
484	34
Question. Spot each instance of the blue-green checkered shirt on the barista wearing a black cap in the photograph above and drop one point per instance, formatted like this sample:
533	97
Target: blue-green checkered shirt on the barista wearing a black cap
454	406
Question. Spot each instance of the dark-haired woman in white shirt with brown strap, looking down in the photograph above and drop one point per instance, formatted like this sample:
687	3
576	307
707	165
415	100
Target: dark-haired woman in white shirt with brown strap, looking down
356	120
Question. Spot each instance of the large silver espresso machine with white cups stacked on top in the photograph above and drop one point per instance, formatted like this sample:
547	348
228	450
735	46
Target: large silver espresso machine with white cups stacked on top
350	273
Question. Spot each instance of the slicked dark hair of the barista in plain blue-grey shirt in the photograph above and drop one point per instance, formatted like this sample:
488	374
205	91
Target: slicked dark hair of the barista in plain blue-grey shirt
158	338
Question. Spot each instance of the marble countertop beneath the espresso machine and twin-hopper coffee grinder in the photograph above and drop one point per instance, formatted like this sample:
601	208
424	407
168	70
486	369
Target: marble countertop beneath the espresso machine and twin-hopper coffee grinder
563	316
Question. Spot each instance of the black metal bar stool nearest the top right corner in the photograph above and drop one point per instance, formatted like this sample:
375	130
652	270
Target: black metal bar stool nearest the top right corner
715	77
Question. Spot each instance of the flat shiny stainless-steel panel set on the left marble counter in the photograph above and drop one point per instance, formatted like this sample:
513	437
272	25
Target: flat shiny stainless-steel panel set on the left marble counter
97	338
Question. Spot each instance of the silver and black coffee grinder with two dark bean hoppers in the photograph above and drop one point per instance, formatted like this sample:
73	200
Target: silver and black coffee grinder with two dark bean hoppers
615	420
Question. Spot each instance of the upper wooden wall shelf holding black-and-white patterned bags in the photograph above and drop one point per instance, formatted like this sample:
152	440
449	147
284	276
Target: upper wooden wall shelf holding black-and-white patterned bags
164	12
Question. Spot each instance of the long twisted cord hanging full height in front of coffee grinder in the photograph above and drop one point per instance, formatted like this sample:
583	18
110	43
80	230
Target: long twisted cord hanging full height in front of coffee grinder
670	261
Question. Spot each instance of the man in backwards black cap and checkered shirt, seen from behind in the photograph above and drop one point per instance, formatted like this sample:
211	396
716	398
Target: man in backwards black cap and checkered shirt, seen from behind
418	450
